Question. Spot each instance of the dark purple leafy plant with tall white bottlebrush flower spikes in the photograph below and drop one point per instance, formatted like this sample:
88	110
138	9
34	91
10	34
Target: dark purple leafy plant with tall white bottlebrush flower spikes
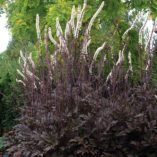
74	110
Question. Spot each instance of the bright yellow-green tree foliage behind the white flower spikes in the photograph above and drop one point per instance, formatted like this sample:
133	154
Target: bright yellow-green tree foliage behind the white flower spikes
21	18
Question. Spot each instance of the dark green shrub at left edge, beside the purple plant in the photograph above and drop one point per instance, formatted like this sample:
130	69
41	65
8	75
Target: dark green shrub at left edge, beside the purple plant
10	94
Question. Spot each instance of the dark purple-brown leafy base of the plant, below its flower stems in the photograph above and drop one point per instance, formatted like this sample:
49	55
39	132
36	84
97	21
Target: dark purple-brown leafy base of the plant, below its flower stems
89	124
